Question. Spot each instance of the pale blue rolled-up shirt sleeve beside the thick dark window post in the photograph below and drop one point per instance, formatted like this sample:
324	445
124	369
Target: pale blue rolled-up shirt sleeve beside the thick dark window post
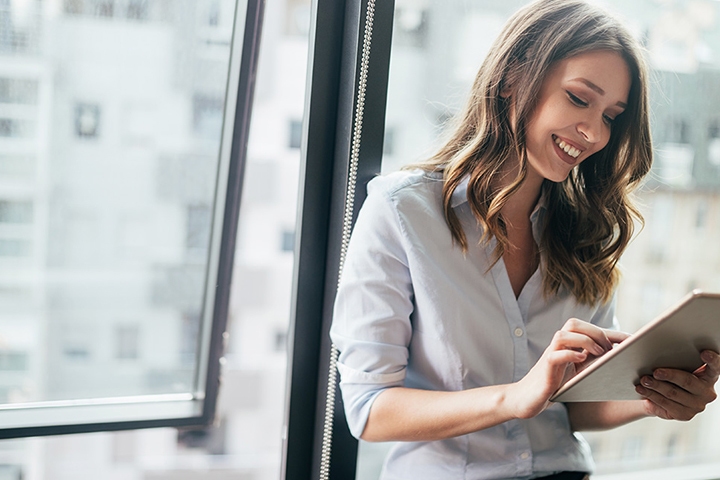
371	320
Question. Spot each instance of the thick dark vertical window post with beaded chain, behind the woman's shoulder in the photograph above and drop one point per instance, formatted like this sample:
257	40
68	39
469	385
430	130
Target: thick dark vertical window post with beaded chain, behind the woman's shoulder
341	151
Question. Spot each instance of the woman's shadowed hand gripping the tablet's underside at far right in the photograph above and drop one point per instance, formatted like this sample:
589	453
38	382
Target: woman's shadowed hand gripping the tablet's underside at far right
678	395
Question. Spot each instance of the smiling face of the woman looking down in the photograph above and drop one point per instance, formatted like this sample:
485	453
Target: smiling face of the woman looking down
579	99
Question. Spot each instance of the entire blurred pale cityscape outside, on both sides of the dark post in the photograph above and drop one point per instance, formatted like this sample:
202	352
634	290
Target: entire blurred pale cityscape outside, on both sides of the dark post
110	121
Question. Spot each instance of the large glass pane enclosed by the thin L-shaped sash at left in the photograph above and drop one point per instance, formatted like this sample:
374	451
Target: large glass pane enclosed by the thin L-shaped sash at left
111	115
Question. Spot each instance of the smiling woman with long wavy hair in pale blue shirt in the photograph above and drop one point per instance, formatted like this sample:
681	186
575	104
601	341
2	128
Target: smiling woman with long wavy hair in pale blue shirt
478	283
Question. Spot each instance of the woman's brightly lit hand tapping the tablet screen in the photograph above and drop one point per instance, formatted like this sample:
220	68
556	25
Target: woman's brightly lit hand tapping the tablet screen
571	349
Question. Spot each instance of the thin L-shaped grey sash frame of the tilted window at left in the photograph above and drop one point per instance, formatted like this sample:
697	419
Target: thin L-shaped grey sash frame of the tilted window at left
185	409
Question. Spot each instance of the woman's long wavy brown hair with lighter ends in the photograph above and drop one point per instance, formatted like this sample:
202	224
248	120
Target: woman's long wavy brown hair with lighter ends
590	214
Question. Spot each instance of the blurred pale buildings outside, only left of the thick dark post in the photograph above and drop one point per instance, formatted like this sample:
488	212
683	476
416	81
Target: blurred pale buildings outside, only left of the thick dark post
111	113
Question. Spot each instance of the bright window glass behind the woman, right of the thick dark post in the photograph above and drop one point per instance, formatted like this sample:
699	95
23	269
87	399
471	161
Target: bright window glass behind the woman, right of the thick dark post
437	48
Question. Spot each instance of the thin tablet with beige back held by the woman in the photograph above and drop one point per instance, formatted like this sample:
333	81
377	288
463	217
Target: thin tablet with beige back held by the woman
673	340
